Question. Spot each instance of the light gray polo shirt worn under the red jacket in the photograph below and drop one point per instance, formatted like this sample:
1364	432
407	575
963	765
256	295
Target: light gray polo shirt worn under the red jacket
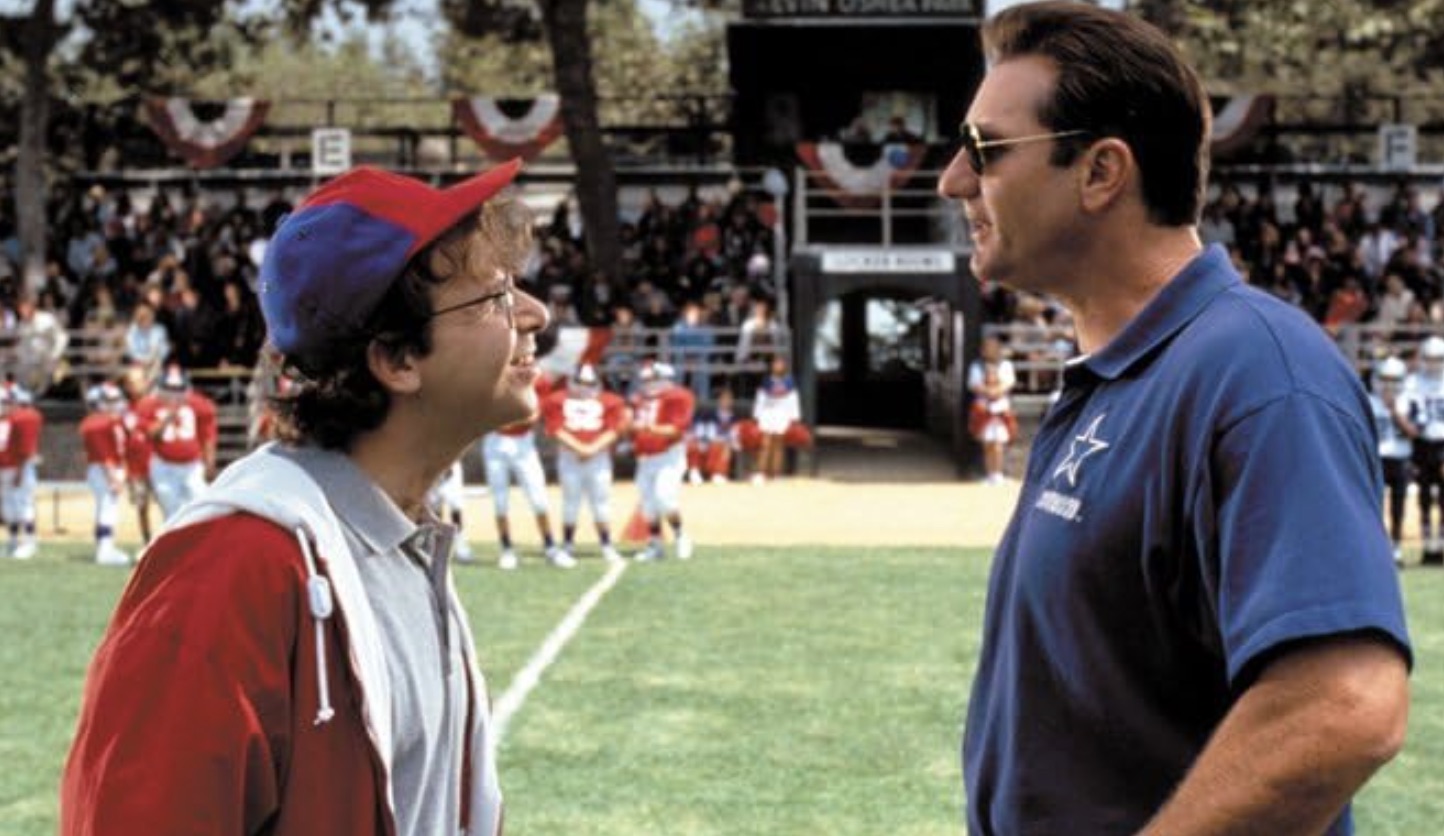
404	568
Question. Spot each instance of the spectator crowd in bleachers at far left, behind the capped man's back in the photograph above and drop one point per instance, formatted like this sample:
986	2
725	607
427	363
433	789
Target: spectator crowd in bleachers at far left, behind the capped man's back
173	281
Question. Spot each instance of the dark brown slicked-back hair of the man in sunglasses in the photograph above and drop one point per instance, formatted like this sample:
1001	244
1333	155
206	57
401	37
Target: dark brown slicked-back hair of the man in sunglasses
1118	77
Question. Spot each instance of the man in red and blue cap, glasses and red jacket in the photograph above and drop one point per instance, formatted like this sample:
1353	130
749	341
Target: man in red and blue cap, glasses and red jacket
291	656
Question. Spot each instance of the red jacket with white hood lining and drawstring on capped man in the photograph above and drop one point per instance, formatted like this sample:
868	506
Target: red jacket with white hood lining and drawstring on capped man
201	707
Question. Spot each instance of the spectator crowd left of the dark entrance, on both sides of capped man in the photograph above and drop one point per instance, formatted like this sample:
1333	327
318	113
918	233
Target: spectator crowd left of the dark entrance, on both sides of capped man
174	279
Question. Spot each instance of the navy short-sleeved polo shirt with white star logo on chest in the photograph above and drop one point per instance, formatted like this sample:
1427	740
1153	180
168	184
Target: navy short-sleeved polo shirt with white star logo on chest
1205	492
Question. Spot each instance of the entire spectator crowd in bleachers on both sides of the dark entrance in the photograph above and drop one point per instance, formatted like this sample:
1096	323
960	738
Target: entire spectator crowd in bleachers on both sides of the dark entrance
174	279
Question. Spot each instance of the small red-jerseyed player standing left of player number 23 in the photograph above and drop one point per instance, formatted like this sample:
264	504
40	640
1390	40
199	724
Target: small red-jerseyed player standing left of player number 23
103	435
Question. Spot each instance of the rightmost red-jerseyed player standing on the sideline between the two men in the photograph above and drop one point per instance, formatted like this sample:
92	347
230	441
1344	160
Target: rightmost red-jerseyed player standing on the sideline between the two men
662	418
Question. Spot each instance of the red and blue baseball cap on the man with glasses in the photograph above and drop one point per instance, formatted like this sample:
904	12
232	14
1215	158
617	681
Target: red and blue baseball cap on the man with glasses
337	255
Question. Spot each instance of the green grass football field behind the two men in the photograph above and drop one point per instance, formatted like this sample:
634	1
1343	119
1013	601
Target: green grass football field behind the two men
752	691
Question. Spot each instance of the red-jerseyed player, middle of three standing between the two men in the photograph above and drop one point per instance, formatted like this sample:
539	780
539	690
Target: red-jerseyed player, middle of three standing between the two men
586	421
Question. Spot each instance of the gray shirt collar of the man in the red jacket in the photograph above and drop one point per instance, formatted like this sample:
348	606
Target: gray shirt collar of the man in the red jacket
362	508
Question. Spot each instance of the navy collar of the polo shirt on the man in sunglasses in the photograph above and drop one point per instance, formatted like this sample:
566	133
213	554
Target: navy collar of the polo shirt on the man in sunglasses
1176	305
